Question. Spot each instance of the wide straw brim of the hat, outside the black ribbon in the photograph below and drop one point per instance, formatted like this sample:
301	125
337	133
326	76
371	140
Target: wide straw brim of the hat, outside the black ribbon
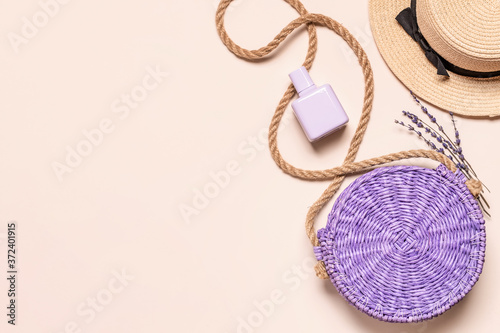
460	94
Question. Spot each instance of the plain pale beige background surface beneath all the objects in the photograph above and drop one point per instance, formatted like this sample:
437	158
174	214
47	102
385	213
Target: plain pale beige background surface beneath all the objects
119	210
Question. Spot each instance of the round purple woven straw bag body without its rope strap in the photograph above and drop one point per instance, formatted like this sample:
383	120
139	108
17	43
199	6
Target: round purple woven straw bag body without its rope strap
404	243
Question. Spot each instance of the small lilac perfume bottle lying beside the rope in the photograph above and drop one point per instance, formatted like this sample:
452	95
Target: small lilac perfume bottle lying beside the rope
318	109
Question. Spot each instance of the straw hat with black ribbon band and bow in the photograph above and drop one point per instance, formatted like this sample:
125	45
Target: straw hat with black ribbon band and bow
449	37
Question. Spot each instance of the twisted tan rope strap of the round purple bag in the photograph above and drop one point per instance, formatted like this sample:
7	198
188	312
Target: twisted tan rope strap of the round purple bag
337	174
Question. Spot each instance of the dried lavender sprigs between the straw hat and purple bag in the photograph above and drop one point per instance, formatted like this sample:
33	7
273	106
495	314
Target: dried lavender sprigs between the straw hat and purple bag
438	140
